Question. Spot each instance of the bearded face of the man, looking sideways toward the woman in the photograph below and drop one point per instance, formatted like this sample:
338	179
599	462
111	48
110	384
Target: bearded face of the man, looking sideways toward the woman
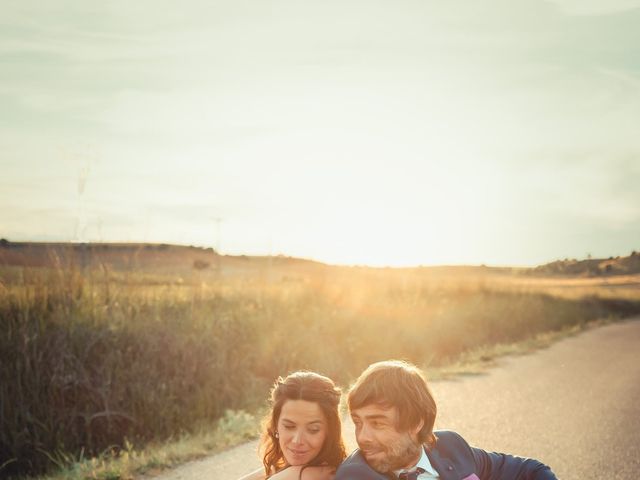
384	447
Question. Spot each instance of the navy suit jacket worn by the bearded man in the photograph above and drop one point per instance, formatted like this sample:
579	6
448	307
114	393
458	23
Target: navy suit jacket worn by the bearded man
454	459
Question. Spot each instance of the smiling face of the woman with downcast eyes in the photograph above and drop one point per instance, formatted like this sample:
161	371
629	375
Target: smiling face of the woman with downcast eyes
302	430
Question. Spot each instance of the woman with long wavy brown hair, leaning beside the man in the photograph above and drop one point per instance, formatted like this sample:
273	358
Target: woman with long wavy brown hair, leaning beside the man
302	436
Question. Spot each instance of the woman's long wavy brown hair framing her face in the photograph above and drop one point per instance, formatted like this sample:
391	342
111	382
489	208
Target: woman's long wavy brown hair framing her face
311	387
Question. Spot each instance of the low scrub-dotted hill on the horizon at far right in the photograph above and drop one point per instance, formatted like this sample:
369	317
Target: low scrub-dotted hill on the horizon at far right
592	267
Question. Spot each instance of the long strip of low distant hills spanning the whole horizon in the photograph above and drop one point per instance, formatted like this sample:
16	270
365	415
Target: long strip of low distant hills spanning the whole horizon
179	259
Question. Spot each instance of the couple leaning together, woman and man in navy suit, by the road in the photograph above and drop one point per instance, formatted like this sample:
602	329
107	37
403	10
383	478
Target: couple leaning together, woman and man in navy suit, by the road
393	412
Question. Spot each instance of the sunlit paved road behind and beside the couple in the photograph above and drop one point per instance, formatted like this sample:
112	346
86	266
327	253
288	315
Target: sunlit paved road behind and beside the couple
574	406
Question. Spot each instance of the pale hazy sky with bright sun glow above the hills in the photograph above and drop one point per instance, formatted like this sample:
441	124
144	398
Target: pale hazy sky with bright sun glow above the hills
348	131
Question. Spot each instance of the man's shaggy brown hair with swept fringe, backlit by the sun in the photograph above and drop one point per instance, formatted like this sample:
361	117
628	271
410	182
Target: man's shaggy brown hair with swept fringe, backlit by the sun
395	383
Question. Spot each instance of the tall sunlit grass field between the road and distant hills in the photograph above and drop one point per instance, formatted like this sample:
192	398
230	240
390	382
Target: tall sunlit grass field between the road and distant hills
91	359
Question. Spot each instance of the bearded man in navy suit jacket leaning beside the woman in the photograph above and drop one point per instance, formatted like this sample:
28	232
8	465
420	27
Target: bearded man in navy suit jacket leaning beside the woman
394	413
